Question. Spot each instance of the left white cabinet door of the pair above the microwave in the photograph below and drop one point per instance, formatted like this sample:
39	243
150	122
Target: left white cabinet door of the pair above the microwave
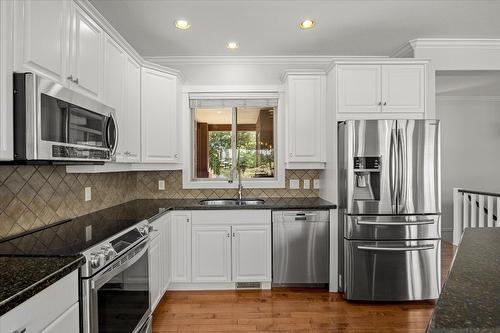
42	35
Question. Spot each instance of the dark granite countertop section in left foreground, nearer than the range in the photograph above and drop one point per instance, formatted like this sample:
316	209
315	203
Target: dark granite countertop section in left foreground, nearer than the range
21	277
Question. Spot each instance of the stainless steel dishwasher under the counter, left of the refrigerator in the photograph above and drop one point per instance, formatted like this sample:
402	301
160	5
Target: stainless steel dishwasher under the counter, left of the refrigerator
301	247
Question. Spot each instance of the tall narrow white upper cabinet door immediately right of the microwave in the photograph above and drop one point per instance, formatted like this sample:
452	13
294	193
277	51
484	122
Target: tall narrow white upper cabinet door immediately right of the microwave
114	70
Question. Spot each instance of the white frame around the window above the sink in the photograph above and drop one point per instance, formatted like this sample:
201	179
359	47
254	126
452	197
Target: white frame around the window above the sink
233	92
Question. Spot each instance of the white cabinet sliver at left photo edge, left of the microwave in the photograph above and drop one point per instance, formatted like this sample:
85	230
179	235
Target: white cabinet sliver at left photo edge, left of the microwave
6	122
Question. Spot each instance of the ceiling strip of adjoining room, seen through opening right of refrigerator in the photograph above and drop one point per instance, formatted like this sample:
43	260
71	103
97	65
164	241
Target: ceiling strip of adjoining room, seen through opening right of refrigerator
468	83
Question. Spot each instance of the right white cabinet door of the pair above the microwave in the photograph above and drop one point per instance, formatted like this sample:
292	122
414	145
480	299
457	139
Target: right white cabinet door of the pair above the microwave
86	54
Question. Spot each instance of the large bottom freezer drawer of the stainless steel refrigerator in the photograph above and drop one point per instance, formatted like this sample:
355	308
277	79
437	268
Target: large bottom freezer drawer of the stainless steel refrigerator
392	270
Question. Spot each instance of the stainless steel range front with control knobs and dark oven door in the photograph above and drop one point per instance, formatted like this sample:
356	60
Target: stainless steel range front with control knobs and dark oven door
115	283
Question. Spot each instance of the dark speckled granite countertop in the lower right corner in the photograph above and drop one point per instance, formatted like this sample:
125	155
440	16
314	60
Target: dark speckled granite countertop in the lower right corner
470	300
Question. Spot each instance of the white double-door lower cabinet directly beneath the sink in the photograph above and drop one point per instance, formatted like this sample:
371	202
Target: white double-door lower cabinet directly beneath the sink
228	247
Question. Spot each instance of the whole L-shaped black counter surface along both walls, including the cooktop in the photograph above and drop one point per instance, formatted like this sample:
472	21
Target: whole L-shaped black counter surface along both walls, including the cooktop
32	261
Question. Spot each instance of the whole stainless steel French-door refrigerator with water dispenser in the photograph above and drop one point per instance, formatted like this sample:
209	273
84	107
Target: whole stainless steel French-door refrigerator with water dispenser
390	209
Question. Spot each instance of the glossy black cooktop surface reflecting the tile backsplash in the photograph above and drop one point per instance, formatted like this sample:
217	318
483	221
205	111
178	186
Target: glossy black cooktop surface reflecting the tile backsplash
76	235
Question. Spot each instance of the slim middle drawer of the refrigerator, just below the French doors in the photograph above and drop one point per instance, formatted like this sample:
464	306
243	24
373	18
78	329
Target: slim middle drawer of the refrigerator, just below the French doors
392	227
